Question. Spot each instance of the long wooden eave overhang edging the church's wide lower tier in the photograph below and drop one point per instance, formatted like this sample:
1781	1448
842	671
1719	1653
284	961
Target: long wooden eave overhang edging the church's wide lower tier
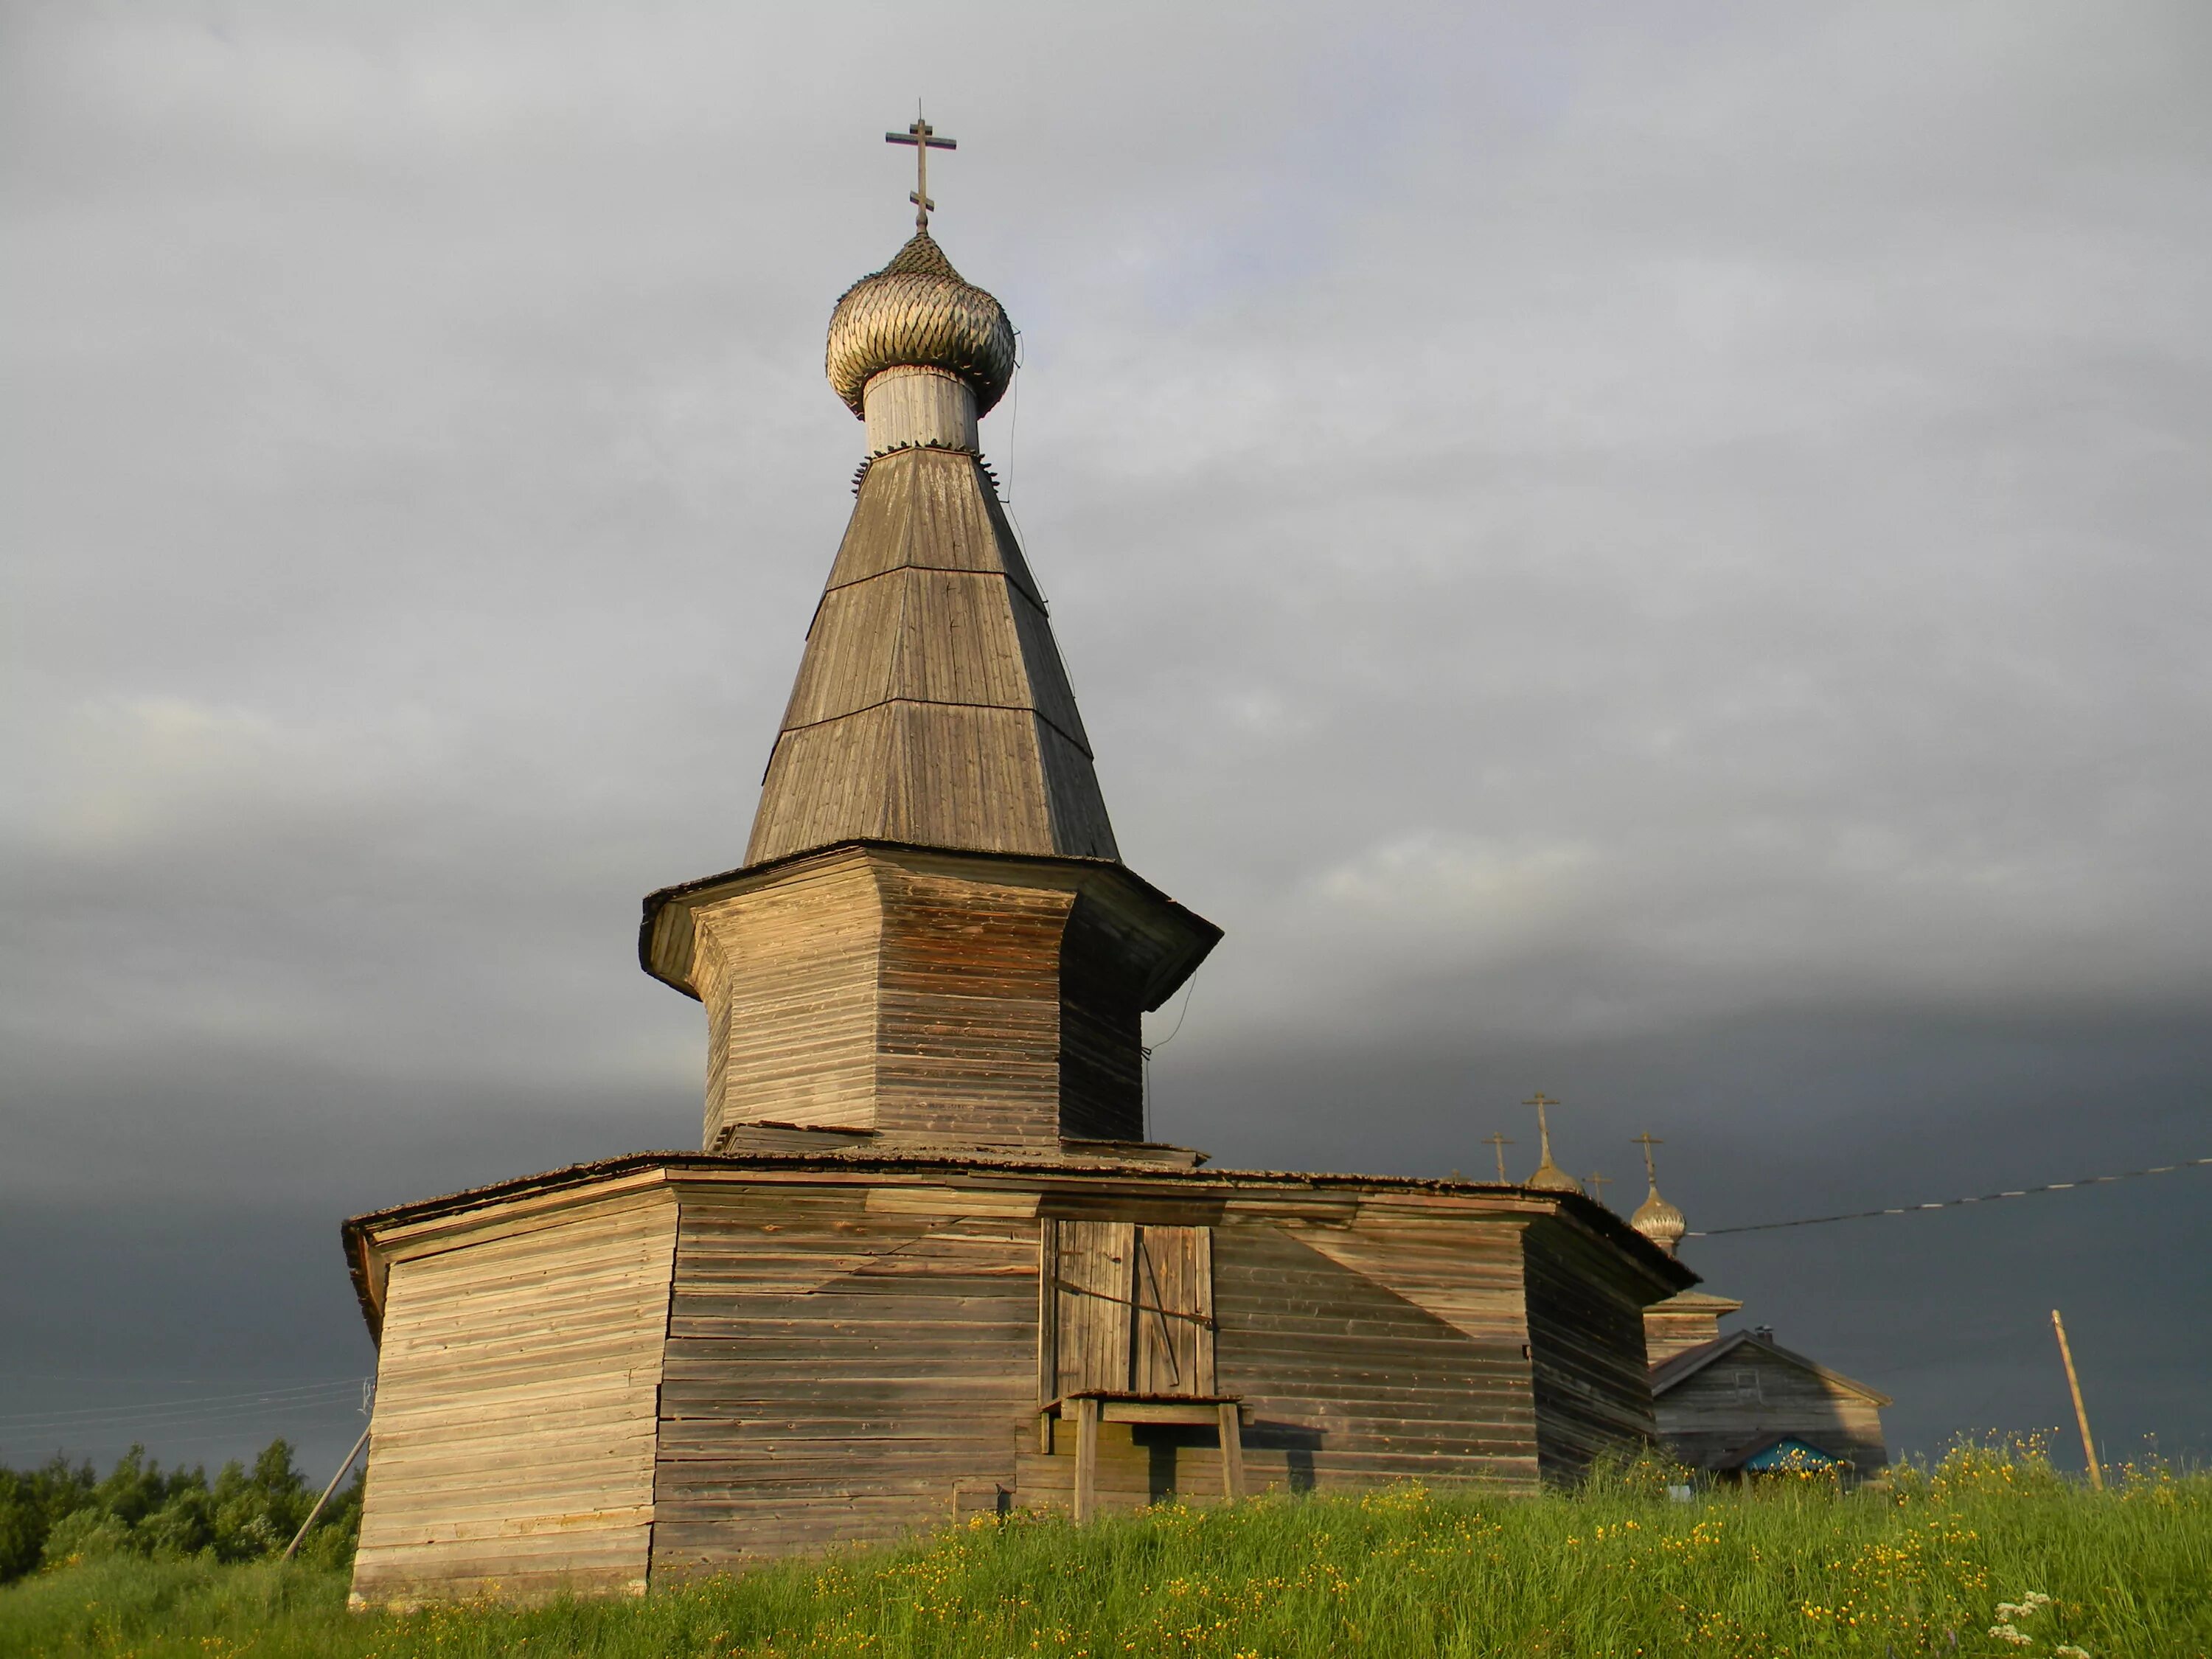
1333	1198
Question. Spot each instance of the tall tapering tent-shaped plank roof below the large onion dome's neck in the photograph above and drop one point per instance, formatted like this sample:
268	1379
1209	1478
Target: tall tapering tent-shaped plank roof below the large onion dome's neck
932	707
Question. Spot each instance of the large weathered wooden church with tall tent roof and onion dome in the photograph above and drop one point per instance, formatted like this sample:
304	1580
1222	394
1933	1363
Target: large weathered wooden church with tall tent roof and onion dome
926	1262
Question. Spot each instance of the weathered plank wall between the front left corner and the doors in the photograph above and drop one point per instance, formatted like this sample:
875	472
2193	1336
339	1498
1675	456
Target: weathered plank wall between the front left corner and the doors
837	1370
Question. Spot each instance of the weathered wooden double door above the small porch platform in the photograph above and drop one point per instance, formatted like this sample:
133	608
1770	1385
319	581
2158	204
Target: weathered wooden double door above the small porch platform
1127	1311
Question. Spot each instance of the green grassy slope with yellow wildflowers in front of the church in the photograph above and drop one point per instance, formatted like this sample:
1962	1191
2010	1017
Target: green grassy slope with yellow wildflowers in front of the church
1943	1563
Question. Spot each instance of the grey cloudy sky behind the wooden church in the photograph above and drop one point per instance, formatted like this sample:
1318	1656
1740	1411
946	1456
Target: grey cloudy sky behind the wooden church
1647	552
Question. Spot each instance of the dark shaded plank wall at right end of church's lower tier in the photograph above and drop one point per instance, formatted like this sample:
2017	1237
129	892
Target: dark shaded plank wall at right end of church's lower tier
1587	1344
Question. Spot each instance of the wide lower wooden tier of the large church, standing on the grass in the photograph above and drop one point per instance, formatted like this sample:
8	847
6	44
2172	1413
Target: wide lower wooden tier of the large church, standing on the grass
680	1364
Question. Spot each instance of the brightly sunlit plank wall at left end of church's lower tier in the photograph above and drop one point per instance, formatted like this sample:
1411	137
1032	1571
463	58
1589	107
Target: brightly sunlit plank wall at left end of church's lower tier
517	1388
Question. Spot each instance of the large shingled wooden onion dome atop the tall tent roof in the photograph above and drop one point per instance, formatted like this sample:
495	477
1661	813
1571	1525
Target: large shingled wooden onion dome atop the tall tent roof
919	313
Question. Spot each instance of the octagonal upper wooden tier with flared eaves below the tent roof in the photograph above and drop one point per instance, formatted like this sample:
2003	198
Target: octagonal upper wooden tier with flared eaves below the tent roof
932	999
